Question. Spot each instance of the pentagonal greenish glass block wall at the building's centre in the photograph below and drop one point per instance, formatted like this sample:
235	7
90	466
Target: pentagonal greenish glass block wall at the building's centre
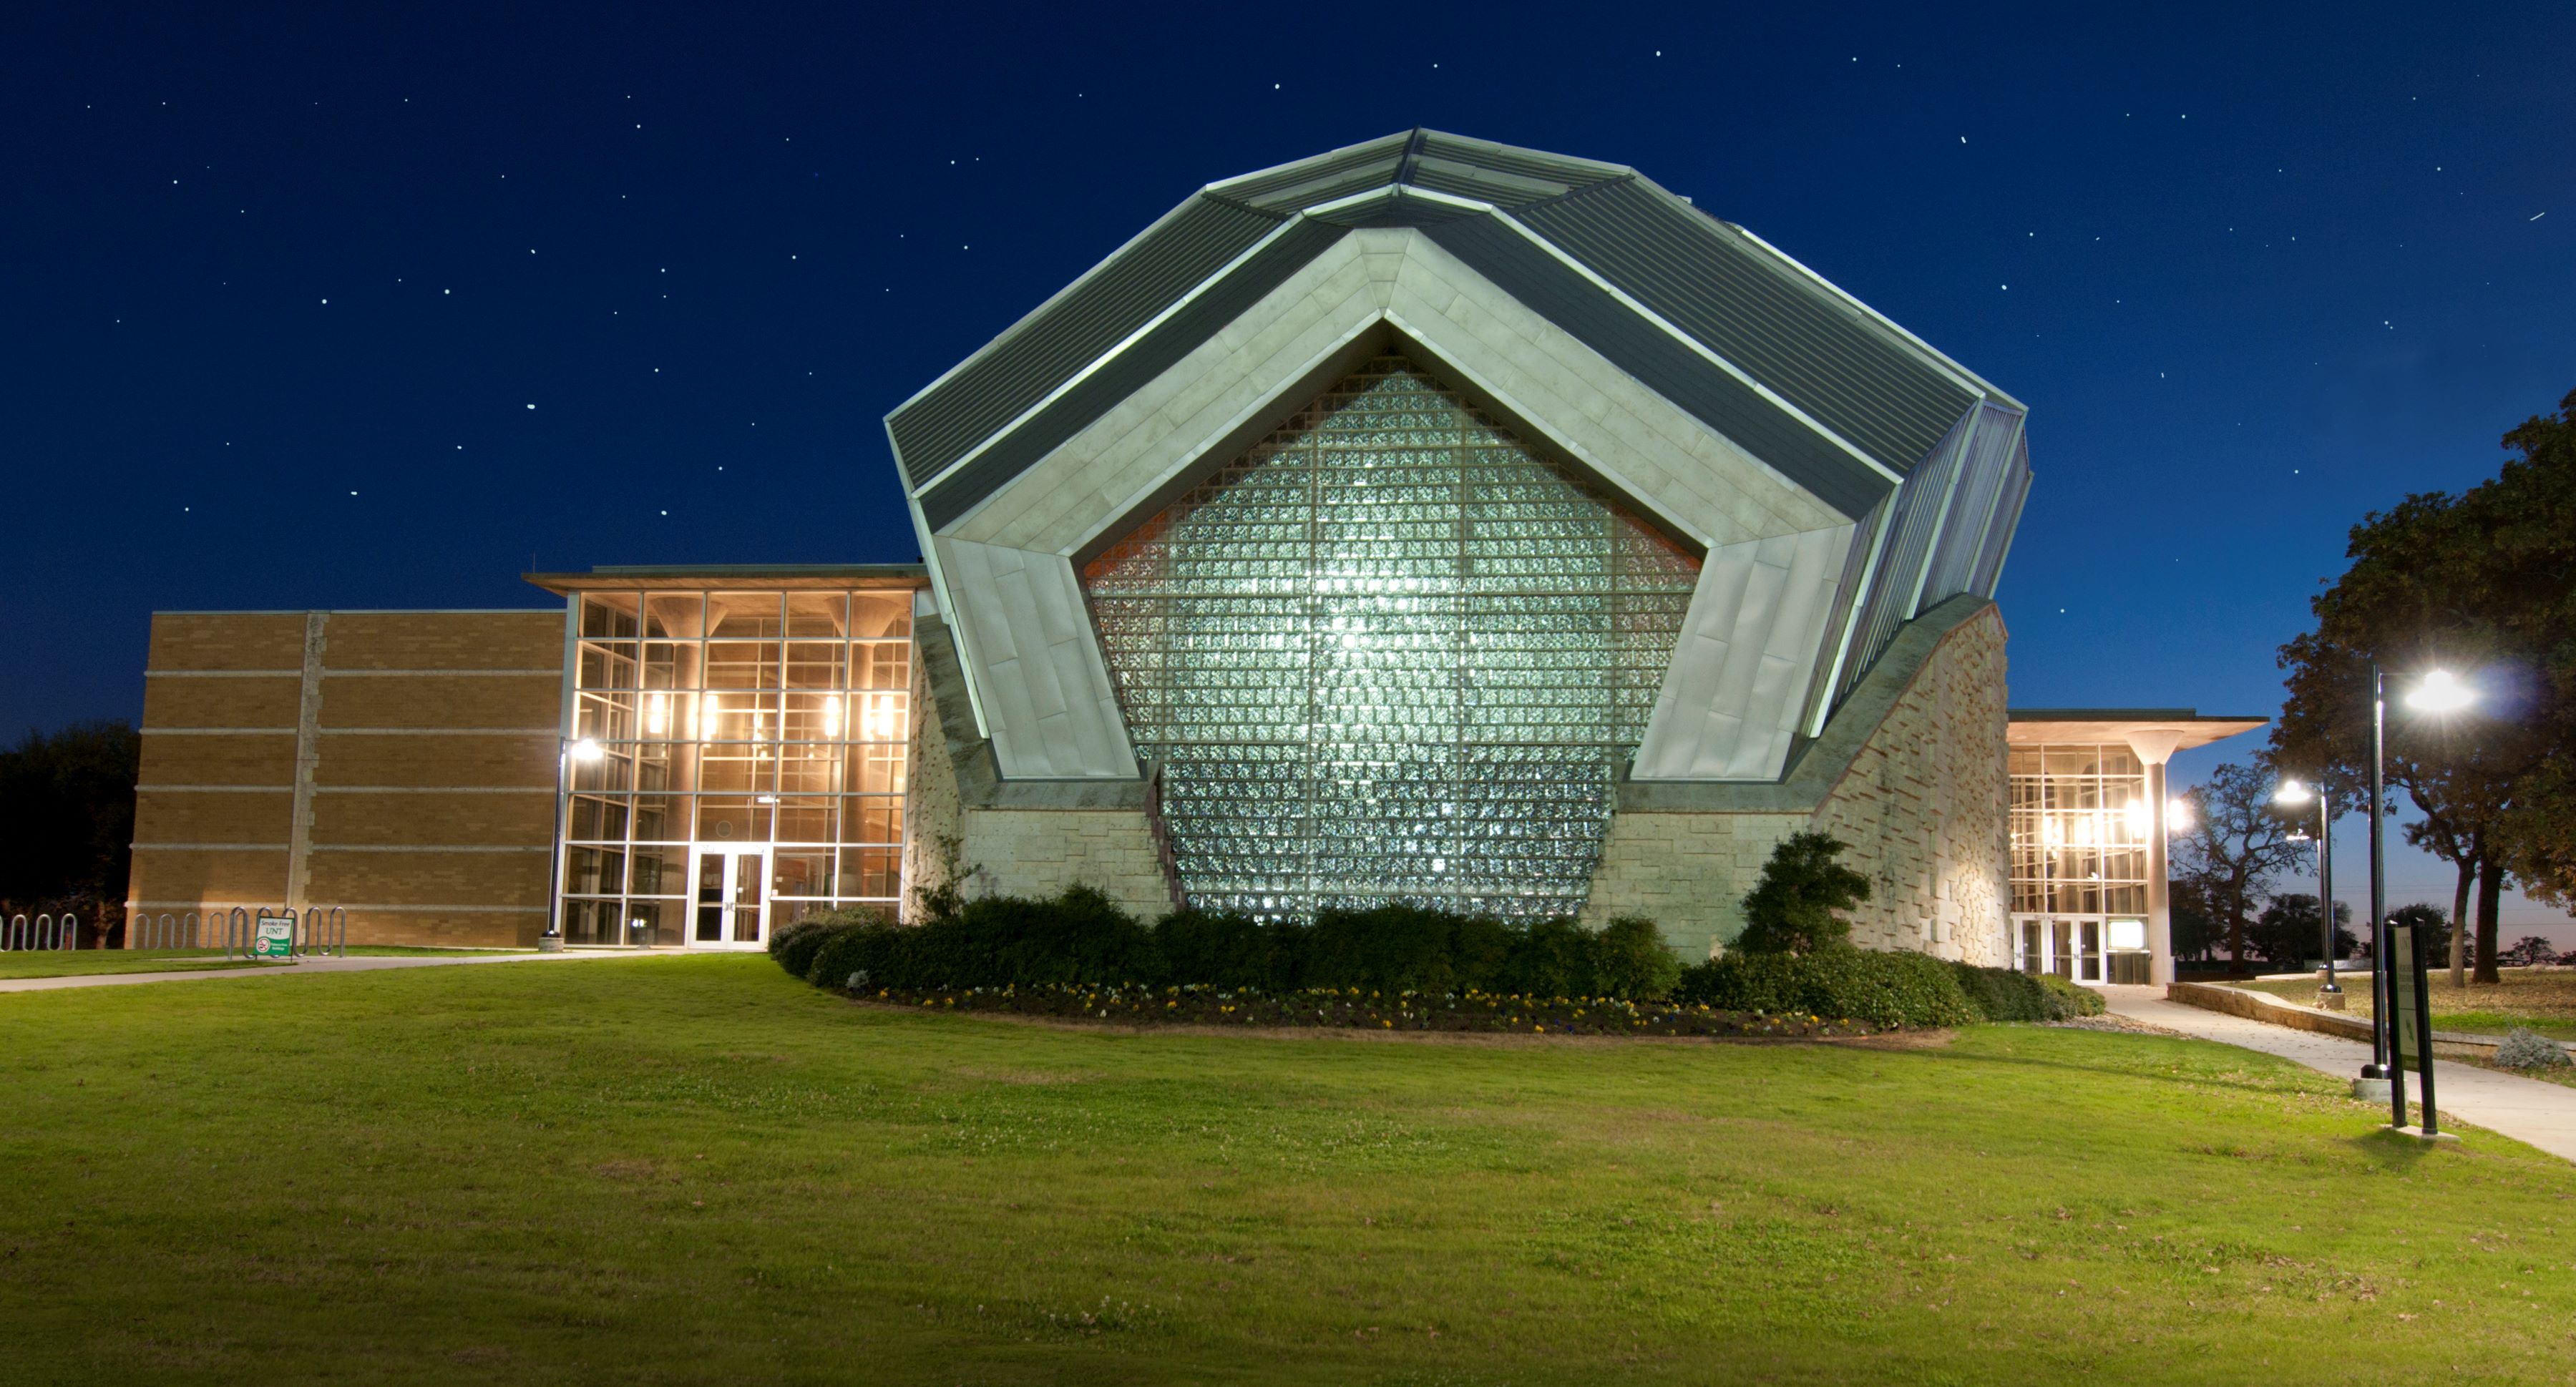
1390	655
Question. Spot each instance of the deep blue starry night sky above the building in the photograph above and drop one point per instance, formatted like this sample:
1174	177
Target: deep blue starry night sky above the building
279	295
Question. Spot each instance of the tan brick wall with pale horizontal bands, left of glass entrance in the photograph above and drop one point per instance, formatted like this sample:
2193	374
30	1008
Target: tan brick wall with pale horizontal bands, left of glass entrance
395	766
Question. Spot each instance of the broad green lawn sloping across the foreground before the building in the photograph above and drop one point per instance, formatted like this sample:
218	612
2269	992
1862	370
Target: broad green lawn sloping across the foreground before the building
707	1172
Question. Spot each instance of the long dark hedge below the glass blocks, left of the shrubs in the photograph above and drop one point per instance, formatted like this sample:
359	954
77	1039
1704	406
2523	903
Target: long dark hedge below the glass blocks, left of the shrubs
1083	938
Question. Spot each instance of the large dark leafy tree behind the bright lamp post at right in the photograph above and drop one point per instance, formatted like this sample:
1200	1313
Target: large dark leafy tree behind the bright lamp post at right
2482	583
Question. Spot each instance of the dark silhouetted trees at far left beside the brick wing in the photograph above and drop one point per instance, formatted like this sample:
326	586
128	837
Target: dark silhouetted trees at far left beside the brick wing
68	822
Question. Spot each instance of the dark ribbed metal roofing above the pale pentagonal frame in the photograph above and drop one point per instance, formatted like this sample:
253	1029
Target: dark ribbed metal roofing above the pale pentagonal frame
1699	310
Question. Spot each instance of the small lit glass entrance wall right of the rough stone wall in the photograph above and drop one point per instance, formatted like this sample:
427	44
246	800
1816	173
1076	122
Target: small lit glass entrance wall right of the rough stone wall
2080	832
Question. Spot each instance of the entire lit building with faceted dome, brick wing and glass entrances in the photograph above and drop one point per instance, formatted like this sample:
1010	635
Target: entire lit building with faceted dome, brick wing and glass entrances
1423	521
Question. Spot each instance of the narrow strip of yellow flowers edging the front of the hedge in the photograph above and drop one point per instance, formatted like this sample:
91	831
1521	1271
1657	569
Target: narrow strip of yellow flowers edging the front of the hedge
1470	1013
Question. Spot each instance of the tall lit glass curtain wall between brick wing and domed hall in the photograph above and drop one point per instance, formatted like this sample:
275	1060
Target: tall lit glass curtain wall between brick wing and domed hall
756	727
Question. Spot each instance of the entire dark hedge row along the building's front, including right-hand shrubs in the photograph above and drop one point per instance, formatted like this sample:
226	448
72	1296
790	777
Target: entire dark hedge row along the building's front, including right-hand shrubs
1083	938
